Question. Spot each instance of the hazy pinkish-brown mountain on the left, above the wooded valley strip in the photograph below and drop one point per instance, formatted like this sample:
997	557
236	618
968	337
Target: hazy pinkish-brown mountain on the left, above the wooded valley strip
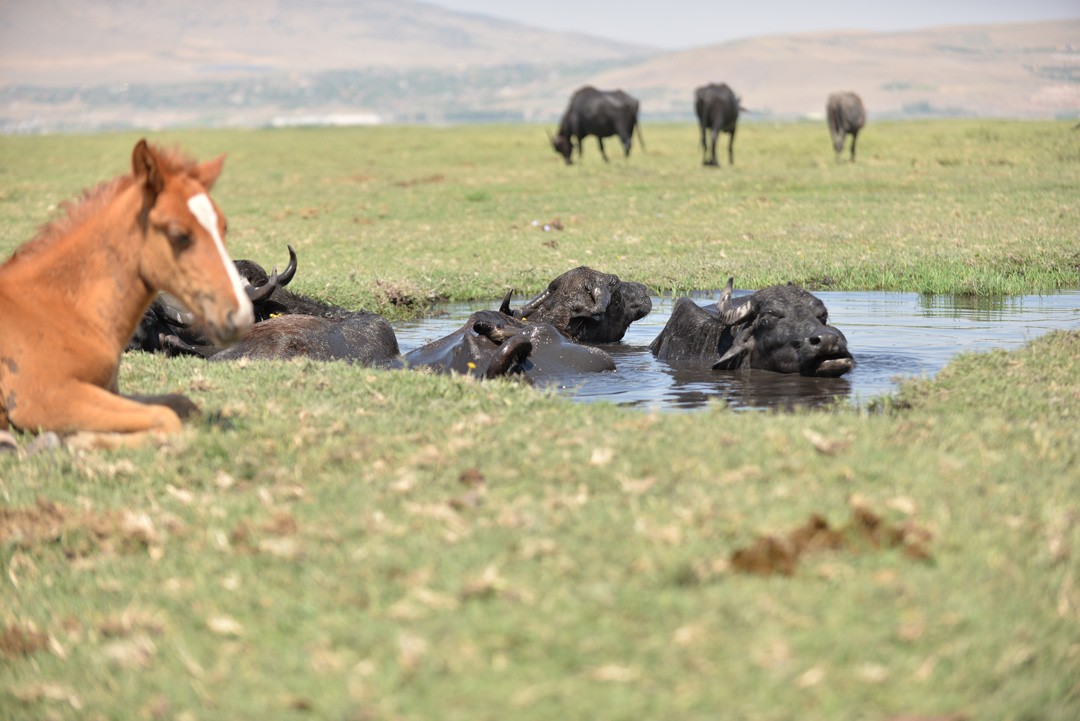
75	43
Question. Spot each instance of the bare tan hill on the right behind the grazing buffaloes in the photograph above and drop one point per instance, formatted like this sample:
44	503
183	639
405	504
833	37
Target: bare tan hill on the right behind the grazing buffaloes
1016	71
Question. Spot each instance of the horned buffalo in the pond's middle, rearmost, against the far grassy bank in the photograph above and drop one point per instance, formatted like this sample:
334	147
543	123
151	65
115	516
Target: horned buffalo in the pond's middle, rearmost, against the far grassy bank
588	306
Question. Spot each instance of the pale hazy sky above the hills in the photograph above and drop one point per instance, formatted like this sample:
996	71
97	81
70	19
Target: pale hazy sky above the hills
678	24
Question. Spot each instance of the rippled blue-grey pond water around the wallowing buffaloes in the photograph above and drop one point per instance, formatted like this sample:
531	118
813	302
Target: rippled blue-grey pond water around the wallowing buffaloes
892	335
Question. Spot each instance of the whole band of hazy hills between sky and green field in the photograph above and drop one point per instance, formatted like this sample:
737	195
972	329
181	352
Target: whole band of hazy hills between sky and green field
116	64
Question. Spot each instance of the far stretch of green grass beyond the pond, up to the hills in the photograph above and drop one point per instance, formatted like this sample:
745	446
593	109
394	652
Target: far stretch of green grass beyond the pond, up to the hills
976	208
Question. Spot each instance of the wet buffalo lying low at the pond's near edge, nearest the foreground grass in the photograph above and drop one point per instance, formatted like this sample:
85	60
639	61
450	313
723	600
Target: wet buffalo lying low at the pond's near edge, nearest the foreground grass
492	344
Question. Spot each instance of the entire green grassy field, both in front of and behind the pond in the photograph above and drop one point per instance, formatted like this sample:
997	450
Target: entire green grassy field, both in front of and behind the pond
342	543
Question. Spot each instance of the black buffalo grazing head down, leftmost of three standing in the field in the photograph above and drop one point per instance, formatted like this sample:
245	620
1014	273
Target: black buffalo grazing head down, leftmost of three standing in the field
597	113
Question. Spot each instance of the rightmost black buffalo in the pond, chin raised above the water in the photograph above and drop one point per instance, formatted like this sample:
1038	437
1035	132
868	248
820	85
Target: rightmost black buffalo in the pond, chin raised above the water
781	329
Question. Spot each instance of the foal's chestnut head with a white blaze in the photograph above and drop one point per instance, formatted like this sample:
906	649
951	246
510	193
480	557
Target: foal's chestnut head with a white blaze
184	252
